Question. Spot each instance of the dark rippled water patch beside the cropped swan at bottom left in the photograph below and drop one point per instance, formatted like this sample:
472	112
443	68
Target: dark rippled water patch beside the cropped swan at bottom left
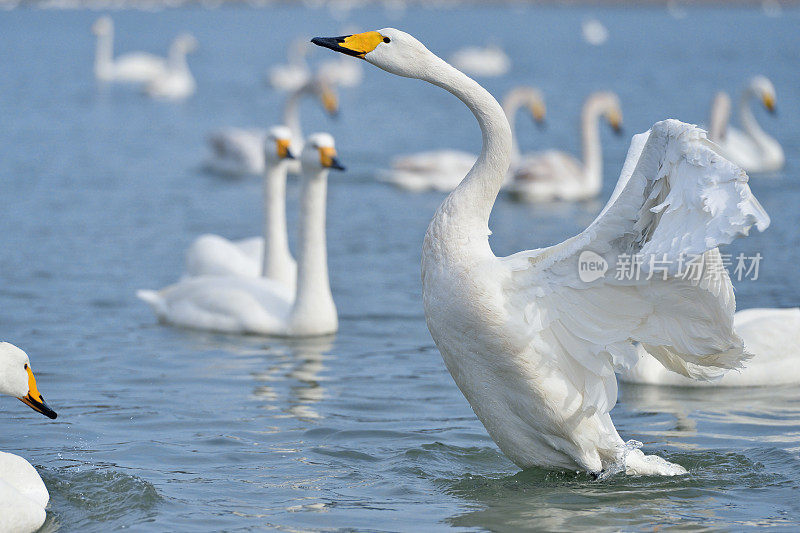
79	498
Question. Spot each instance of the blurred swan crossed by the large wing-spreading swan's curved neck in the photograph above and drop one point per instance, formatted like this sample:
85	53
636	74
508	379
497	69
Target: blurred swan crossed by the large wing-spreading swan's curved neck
443	170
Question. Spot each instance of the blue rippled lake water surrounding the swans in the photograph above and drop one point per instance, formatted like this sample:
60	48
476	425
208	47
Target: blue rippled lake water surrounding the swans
163	429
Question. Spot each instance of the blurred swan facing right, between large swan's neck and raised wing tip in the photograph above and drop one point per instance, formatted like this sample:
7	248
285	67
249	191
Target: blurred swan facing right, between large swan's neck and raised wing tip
552	174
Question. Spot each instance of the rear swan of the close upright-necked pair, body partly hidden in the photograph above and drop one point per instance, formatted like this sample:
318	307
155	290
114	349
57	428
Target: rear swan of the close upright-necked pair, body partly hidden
212	255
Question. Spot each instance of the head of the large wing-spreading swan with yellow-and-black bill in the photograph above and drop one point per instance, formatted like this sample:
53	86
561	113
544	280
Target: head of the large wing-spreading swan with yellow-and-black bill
390	49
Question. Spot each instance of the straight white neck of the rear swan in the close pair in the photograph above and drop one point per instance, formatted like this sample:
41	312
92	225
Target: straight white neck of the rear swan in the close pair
277	260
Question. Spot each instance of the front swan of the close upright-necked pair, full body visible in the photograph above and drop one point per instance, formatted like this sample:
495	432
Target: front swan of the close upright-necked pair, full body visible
262	306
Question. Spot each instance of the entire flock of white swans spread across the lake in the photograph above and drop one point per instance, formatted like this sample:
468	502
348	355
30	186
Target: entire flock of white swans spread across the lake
533	348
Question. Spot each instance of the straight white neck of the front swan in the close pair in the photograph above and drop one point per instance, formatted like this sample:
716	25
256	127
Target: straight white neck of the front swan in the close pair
313	300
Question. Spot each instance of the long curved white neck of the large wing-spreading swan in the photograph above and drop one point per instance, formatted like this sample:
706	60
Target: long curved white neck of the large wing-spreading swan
464	215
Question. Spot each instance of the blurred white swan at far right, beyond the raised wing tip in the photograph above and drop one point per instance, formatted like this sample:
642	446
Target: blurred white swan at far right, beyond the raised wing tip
751	149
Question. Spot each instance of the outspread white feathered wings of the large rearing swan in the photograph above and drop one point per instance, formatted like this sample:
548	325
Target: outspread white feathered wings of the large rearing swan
647	270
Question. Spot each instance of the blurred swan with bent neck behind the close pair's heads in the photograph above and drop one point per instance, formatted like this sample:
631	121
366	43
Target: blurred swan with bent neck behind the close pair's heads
240	151
